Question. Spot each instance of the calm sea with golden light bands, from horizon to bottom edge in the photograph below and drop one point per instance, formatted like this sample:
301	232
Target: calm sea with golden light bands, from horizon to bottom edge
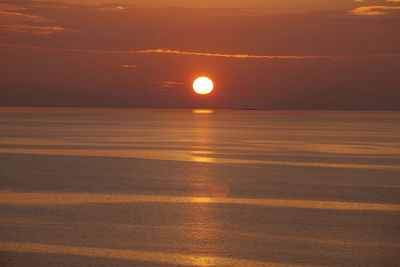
138	187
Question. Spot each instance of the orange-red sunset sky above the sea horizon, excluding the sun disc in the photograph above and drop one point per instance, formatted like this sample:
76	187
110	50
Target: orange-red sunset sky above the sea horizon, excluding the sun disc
263	54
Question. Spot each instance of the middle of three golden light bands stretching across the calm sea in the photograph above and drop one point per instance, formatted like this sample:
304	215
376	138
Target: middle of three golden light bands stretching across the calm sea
76	198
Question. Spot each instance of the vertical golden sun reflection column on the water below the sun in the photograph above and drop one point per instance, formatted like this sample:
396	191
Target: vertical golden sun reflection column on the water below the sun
200	219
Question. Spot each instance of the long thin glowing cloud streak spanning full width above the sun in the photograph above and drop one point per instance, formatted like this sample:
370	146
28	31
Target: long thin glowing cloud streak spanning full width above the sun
203	54
